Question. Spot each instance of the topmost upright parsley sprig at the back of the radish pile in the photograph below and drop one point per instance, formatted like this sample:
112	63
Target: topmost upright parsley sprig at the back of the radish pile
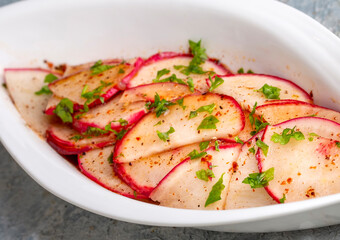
199	57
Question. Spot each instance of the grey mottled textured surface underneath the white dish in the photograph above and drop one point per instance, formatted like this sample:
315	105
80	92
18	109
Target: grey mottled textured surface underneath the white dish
27	211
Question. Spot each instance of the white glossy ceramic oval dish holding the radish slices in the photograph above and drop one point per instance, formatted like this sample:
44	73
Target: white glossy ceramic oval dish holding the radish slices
265	36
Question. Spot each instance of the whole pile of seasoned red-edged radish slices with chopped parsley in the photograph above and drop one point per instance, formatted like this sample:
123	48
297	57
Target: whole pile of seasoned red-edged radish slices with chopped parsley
181	130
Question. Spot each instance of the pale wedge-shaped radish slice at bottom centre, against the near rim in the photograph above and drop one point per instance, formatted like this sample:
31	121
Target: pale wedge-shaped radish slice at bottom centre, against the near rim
181	188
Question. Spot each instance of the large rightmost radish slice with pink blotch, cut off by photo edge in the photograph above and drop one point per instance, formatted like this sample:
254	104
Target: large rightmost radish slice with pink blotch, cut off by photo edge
327	131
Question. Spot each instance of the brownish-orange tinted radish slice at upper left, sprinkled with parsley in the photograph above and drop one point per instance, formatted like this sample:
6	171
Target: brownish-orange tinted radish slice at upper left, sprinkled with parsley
71	87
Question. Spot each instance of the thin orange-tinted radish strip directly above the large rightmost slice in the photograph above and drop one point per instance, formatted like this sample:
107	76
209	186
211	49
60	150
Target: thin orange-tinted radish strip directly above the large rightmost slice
275	113
